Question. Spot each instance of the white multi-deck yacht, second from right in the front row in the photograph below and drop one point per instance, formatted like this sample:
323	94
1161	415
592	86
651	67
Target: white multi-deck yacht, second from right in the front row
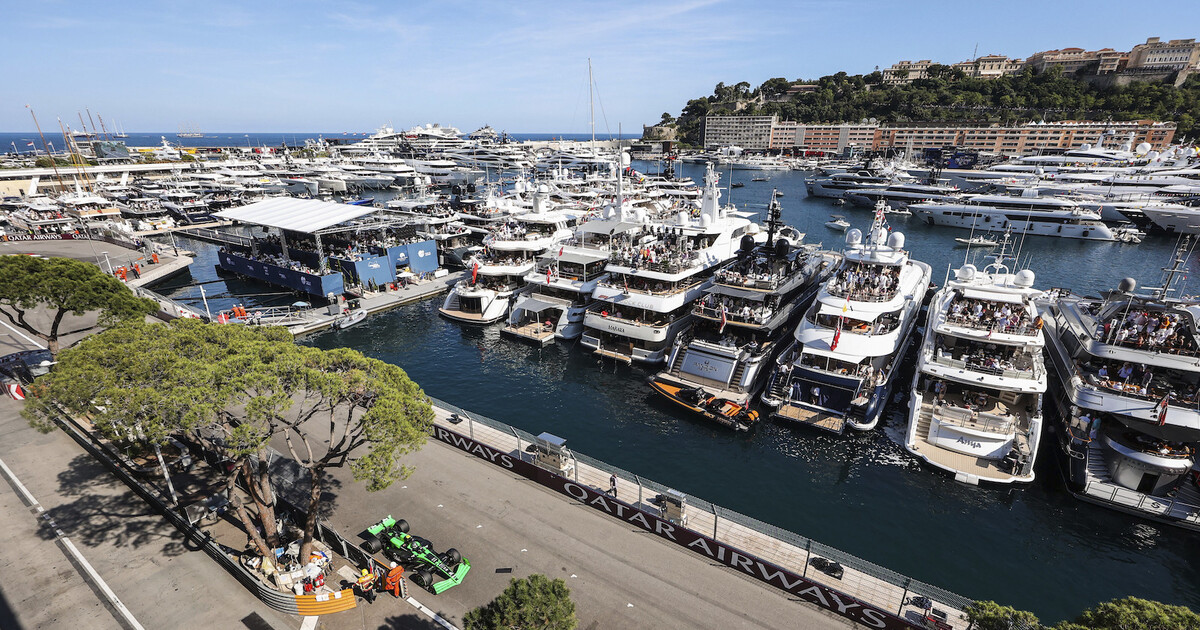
976	405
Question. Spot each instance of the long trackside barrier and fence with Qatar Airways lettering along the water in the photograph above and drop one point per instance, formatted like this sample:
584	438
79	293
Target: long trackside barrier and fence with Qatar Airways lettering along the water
896	590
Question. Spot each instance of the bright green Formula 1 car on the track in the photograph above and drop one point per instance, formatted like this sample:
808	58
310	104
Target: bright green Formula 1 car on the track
393	538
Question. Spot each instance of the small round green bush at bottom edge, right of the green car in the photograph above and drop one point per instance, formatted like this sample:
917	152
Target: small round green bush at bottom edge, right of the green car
527	604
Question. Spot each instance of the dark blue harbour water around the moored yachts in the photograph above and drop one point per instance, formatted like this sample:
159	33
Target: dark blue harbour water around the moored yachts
1035	548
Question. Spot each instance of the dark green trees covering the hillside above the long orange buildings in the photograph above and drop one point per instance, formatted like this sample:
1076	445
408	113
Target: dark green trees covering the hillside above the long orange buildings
950	97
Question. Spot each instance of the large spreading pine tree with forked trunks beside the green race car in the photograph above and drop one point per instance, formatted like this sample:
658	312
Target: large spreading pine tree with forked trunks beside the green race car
236	391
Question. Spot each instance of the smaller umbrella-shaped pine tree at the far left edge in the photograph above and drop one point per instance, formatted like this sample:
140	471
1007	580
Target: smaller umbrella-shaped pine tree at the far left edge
63	286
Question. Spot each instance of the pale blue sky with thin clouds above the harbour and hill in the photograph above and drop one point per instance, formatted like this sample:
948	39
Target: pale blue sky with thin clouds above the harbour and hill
519	67
